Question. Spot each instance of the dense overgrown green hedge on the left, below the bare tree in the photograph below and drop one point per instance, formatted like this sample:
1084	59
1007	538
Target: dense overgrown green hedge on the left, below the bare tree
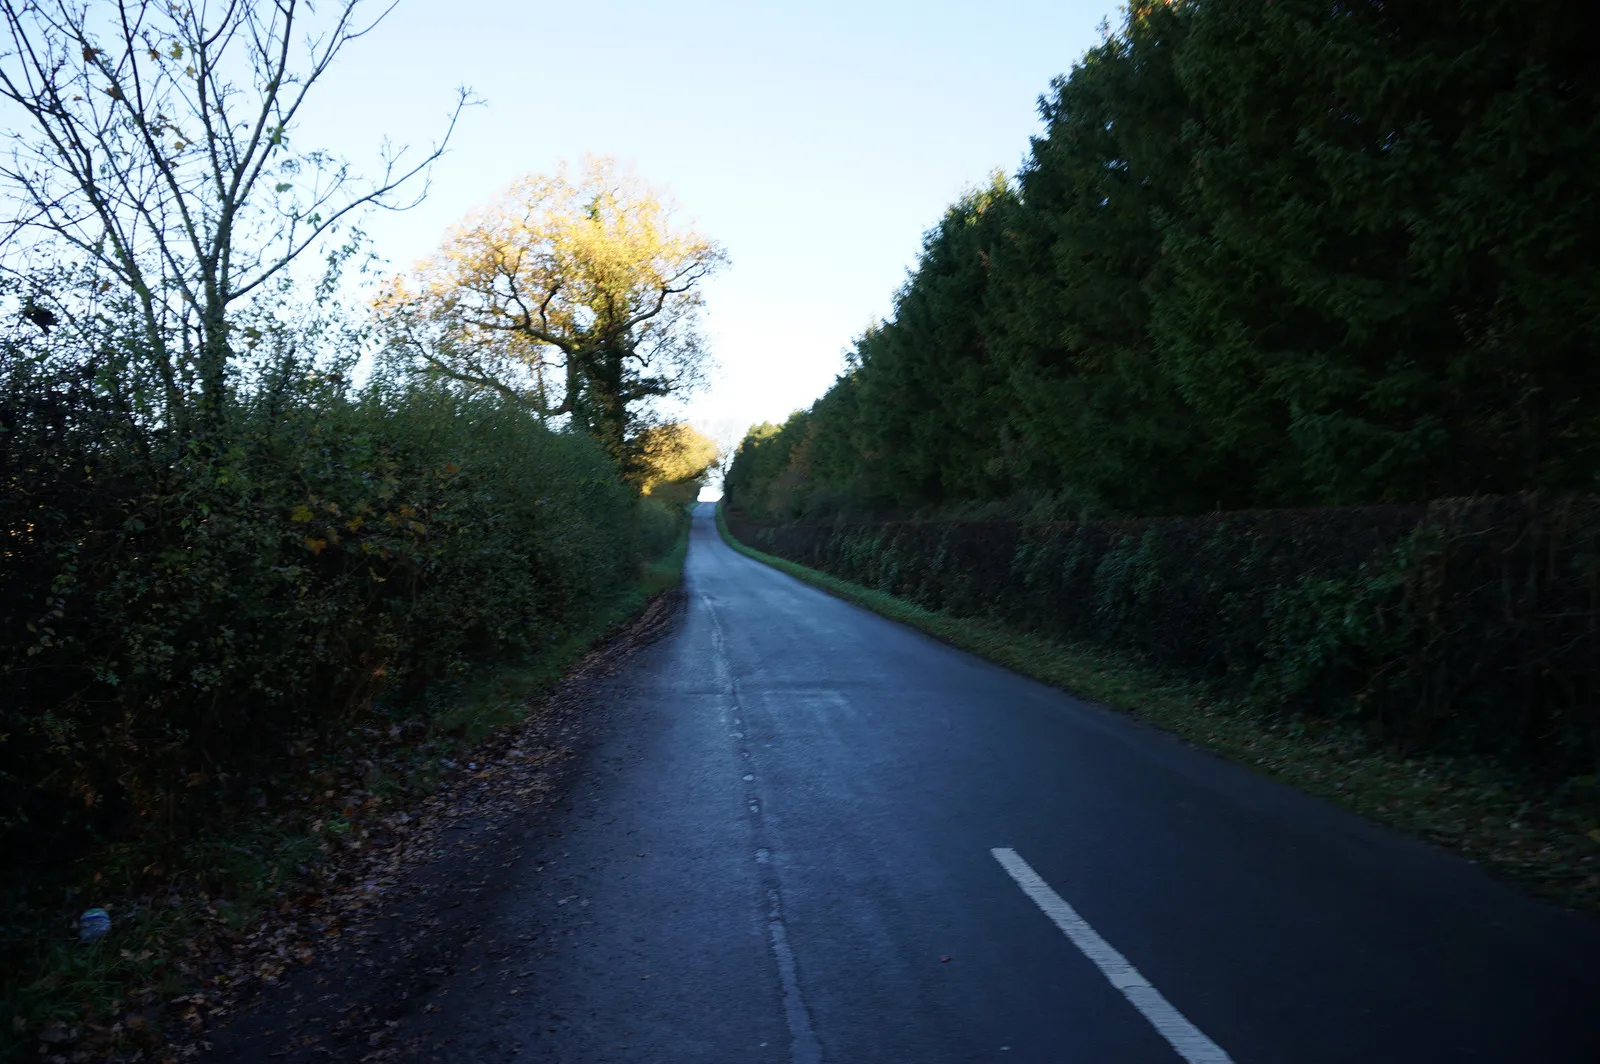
177	612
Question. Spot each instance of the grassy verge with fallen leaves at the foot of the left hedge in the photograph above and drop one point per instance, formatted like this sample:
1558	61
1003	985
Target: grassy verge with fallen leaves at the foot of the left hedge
111	994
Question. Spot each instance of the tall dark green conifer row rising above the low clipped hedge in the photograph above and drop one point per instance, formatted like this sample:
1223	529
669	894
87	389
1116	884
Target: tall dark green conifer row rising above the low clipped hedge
1260	257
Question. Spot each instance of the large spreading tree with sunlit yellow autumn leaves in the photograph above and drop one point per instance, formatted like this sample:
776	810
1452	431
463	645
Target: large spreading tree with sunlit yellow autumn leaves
578	297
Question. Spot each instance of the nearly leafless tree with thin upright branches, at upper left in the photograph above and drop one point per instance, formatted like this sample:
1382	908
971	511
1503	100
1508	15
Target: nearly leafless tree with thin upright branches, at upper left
151	140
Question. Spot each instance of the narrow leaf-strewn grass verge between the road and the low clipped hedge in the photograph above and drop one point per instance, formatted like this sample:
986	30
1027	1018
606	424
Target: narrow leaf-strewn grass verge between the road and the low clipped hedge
1548	842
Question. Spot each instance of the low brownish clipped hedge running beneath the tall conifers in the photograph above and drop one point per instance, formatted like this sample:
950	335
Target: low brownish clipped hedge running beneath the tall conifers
1462	626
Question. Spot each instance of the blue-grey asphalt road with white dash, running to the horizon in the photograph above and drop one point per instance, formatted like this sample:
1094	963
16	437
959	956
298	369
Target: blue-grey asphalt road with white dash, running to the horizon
810	834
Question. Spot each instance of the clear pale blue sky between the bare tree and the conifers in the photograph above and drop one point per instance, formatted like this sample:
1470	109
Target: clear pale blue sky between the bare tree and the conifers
815	142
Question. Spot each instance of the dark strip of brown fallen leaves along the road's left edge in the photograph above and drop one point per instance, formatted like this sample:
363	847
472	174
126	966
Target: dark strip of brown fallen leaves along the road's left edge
417	906
